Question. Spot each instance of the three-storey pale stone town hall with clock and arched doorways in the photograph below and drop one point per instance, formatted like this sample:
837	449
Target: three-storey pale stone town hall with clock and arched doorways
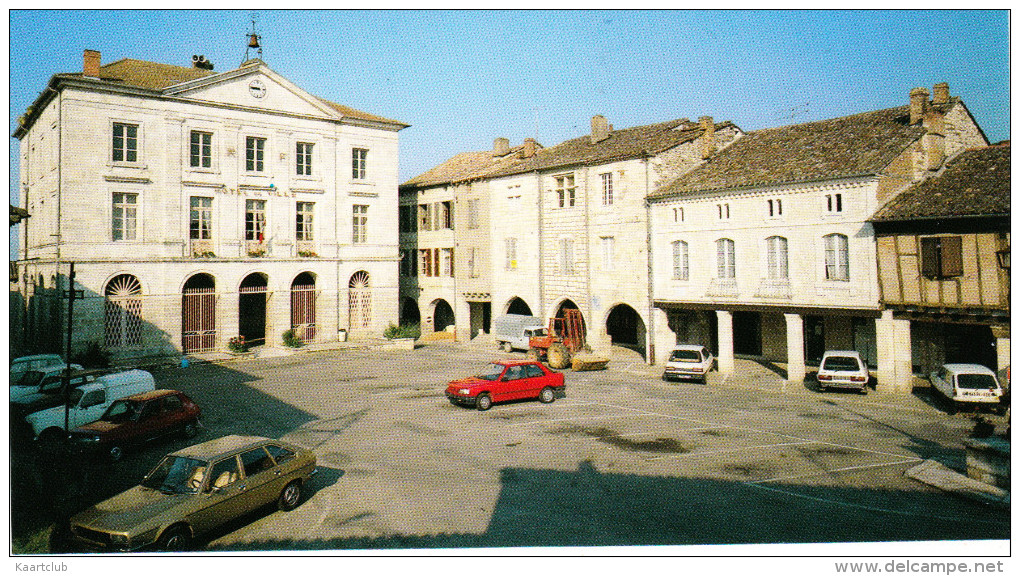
238	183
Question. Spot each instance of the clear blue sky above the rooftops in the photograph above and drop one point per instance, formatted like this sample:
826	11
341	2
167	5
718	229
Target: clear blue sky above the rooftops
463	79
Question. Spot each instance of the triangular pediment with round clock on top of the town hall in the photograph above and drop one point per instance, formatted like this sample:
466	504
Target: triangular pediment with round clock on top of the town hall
256	87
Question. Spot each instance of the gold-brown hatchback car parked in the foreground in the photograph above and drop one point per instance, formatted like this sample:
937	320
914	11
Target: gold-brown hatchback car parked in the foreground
196	490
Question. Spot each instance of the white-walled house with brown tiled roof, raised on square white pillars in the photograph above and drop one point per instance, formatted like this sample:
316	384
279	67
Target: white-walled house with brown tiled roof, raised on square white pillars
775	257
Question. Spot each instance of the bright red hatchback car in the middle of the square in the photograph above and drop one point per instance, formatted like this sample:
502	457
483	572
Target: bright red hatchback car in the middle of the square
507	380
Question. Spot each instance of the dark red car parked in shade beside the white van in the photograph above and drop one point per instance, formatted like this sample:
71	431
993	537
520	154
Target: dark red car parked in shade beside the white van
135	420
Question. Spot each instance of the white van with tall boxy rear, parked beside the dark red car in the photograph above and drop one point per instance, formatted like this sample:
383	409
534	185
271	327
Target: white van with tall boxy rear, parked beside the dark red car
89	402
